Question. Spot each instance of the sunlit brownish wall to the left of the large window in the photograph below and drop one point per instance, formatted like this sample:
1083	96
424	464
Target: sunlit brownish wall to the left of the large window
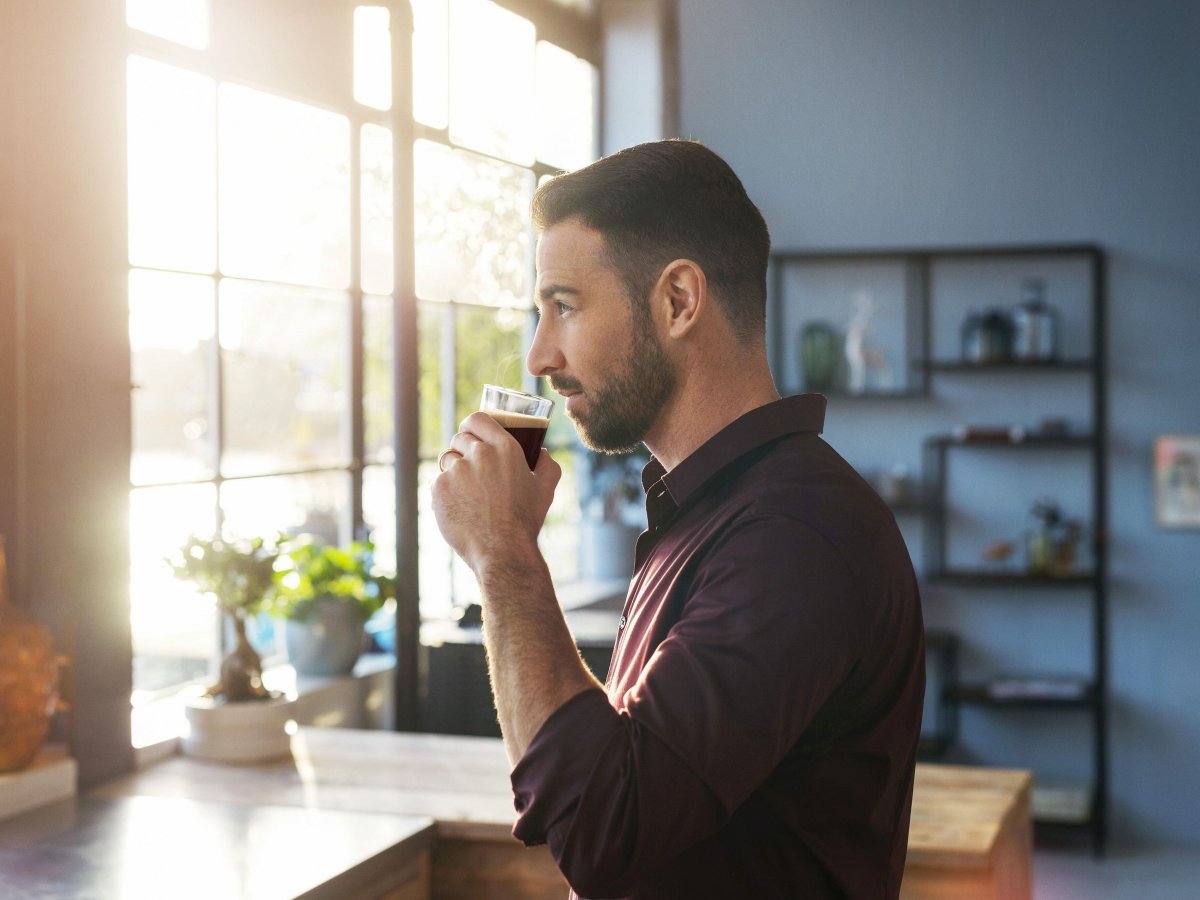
67	418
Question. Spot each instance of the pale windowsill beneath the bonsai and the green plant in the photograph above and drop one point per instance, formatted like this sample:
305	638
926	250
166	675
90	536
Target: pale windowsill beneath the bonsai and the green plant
362	699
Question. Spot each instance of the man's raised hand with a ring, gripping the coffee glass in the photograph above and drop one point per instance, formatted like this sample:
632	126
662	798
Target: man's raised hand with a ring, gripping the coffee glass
487	501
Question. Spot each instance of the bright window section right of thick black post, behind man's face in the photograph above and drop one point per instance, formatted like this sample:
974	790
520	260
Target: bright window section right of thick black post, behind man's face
497	109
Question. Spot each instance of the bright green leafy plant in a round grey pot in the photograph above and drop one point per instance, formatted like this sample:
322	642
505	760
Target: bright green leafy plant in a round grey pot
326	595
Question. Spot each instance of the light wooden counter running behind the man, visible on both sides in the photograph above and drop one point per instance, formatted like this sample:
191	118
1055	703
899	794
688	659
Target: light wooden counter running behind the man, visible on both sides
970	838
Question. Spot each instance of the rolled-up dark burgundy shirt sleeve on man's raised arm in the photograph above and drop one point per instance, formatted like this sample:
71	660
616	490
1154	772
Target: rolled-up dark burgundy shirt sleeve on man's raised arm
619	788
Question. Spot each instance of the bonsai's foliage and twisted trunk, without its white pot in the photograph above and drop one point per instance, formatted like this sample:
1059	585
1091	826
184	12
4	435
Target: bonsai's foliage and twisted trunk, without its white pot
239	575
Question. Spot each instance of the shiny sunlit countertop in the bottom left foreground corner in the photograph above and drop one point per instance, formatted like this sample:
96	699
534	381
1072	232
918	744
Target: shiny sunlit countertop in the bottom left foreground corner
149	848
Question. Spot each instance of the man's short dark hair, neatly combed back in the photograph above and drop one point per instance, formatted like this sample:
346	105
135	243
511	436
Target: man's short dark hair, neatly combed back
670	200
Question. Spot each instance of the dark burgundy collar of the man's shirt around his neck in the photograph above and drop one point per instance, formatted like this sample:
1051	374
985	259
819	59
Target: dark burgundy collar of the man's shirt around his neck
803	413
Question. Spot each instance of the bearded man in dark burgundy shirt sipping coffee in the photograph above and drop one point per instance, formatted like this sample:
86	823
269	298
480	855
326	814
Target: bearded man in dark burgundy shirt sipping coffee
758	733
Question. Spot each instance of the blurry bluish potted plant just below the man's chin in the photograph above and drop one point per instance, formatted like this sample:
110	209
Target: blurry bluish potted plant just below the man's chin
611	494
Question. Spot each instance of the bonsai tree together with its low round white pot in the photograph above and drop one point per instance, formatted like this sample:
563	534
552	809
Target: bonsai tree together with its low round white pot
237	719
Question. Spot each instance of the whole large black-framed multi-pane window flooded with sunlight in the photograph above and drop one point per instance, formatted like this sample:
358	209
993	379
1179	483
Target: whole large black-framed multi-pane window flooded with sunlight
263	286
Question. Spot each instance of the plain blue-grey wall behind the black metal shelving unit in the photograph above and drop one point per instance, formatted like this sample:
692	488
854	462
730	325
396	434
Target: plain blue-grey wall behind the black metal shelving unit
874	123
